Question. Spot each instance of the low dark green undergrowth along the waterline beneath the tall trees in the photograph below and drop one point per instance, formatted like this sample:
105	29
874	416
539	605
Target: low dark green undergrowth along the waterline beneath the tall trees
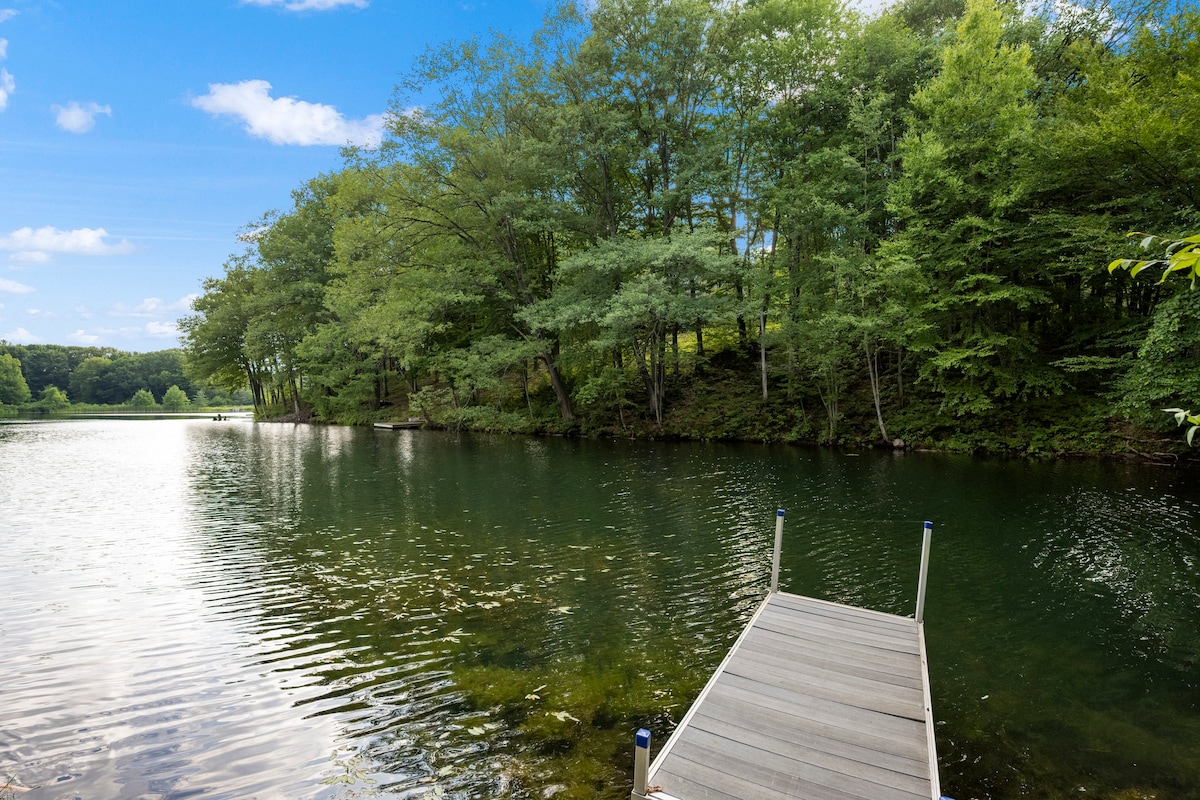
722	400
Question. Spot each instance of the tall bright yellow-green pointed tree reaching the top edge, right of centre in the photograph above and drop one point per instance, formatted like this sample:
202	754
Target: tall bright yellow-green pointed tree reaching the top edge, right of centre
961	204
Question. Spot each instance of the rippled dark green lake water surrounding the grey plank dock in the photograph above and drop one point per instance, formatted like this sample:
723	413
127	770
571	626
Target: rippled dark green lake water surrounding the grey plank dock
225	610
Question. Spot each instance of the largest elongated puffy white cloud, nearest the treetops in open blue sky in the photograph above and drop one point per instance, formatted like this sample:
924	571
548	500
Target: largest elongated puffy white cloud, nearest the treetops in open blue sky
287	121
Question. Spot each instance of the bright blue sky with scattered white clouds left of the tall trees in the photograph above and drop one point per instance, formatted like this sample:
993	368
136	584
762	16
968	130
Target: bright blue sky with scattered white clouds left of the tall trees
139	139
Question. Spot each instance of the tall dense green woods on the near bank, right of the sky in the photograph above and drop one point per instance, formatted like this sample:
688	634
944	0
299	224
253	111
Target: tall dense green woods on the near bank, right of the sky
769	220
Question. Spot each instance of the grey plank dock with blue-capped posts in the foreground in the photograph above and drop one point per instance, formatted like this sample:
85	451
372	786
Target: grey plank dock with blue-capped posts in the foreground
815	701
